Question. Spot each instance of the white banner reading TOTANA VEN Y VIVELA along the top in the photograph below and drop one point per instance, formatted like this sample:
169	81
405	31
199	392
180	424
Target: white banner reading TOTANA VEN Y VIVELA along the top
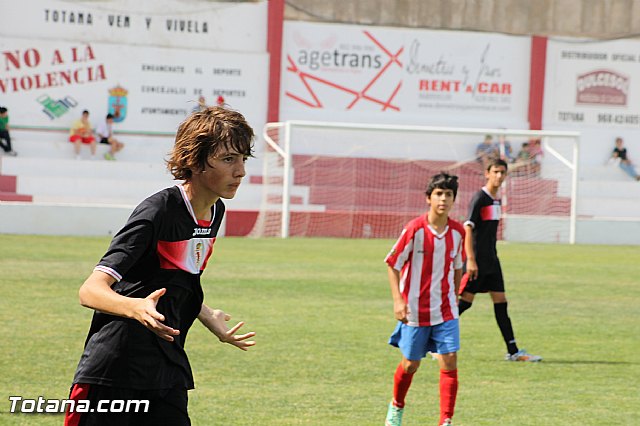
196	24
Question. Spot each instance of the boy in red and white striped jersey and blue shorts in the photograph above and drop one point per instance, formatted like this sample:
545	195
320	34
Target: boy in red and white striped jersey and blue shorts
425	268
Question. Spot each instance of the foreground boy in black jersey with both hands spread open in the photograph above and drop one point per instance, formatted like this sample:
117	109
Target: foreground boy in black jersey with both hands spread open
146	289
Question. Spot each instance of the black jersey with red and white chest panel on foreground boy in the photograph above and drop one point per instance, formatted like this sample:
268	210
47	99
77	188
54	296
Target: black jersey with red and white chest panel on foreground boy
162	245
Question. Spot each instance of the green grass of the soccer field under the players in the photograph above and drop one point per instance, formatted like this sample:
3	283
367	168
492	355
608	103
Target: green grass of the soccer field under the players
322	312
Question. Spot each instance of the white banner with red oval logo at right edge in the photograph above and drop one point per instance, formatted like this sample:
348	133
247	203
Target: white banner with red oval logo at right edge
592	84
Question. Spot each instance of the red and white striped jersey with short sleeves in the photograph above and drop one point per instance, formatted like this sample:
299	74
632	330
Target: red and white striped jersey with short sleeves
426	262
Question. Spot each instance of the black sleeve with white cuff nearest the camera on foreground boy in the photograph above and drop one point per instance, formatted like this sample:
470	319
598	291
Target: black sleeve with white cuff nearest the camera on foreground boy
132	242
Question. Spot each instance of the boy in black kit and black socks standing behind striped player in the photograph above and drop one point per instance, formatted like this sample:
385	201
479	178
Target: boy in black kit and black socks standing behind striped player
484	273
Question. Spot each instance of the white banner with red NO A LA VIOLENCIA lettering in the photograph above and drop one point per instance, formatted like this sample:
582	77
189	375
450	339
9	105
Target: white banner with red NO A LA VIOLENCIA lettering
149	89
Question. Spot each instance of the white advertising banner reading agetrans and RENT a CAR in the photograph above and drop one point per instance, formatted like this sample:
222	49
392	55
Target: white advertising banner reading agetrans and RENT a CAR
404	76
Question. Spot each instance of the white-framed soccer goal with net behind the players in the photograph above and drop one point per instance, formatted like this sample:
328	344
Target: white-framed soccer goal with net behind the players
367	181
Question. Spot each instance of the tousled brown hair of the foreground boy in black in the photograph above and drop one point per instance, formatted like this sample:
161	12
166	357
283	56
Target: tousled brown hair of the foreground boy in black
203	134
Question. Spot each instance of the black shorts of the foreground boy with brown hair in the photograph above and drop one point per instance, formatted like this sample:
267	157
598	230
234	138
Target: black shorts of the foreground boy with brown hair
127	406
